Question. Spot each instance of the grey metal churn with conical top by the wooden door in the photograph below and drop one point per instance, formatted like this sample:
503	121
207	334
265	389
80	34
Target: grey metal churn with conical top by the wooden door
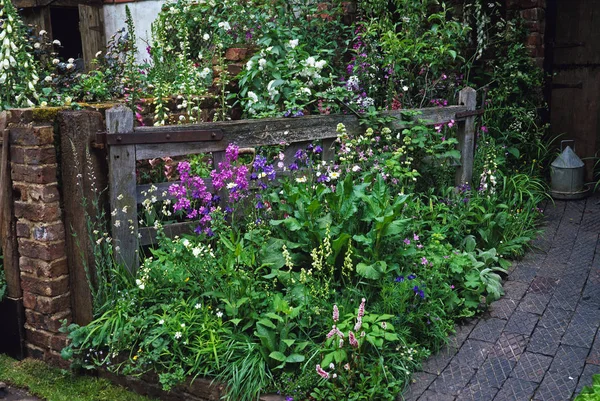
567	174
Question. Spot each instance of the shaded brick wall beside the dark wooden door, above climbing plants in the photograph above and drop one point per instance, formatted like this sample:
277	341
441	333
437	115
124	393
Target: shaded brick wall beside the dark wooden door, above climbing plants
533	13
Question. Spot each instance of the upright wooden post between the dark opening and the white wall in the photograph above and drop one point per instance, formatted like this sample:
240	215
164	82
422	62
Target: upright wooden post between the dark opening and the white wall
92	40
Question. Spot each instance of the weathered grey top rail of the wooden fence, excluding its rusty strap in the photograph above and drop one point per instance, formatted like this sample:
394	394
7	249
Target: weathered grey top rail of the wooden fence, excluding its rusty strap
264	132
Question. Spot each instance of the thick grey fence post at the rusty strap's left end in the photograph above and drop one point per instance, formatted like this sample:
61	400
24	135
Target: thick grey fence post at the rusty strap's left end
122	189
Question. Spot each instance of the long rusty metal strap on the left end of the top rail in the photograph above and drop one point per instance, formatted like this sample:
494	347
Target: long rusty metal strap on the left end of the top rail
139	138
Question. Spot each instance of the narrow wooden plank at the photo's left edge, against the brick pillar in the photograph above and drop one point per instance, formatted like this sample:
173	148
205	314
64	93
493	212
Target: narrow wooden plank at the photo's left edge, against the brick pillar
7	219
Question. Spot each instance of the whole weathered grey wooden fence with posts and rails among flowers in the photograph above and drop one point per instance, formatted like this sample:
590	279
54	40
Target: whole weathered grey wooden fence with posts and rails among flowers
126	145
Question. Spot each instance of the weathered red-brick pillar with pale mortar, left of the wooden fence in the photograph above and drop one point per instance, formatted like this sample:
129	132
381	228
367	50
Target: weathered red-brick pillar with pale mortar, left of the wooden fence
41	238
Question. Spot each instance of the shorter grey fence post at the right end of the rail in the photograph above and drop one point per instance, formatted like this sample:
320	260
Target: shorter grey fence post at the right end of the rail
466	138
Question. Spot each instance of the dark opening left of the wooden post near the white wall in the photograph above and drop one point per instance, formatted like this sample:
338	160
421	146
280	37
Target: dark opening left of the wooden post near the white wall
65	28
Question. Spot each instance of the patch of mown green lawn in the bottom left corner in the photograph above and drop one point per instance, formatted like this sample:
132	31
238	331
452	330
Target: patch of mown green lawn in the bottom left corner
53	384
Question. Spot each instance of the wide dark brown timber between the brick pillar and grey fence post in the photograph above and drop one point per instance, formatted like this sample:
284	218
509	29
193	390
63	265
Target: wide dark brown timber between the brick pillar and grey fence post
83	178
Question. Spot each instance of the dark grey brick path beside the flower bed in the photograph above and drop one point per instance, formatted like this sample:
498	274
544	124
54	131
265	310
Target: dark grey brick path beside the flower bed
540	341
